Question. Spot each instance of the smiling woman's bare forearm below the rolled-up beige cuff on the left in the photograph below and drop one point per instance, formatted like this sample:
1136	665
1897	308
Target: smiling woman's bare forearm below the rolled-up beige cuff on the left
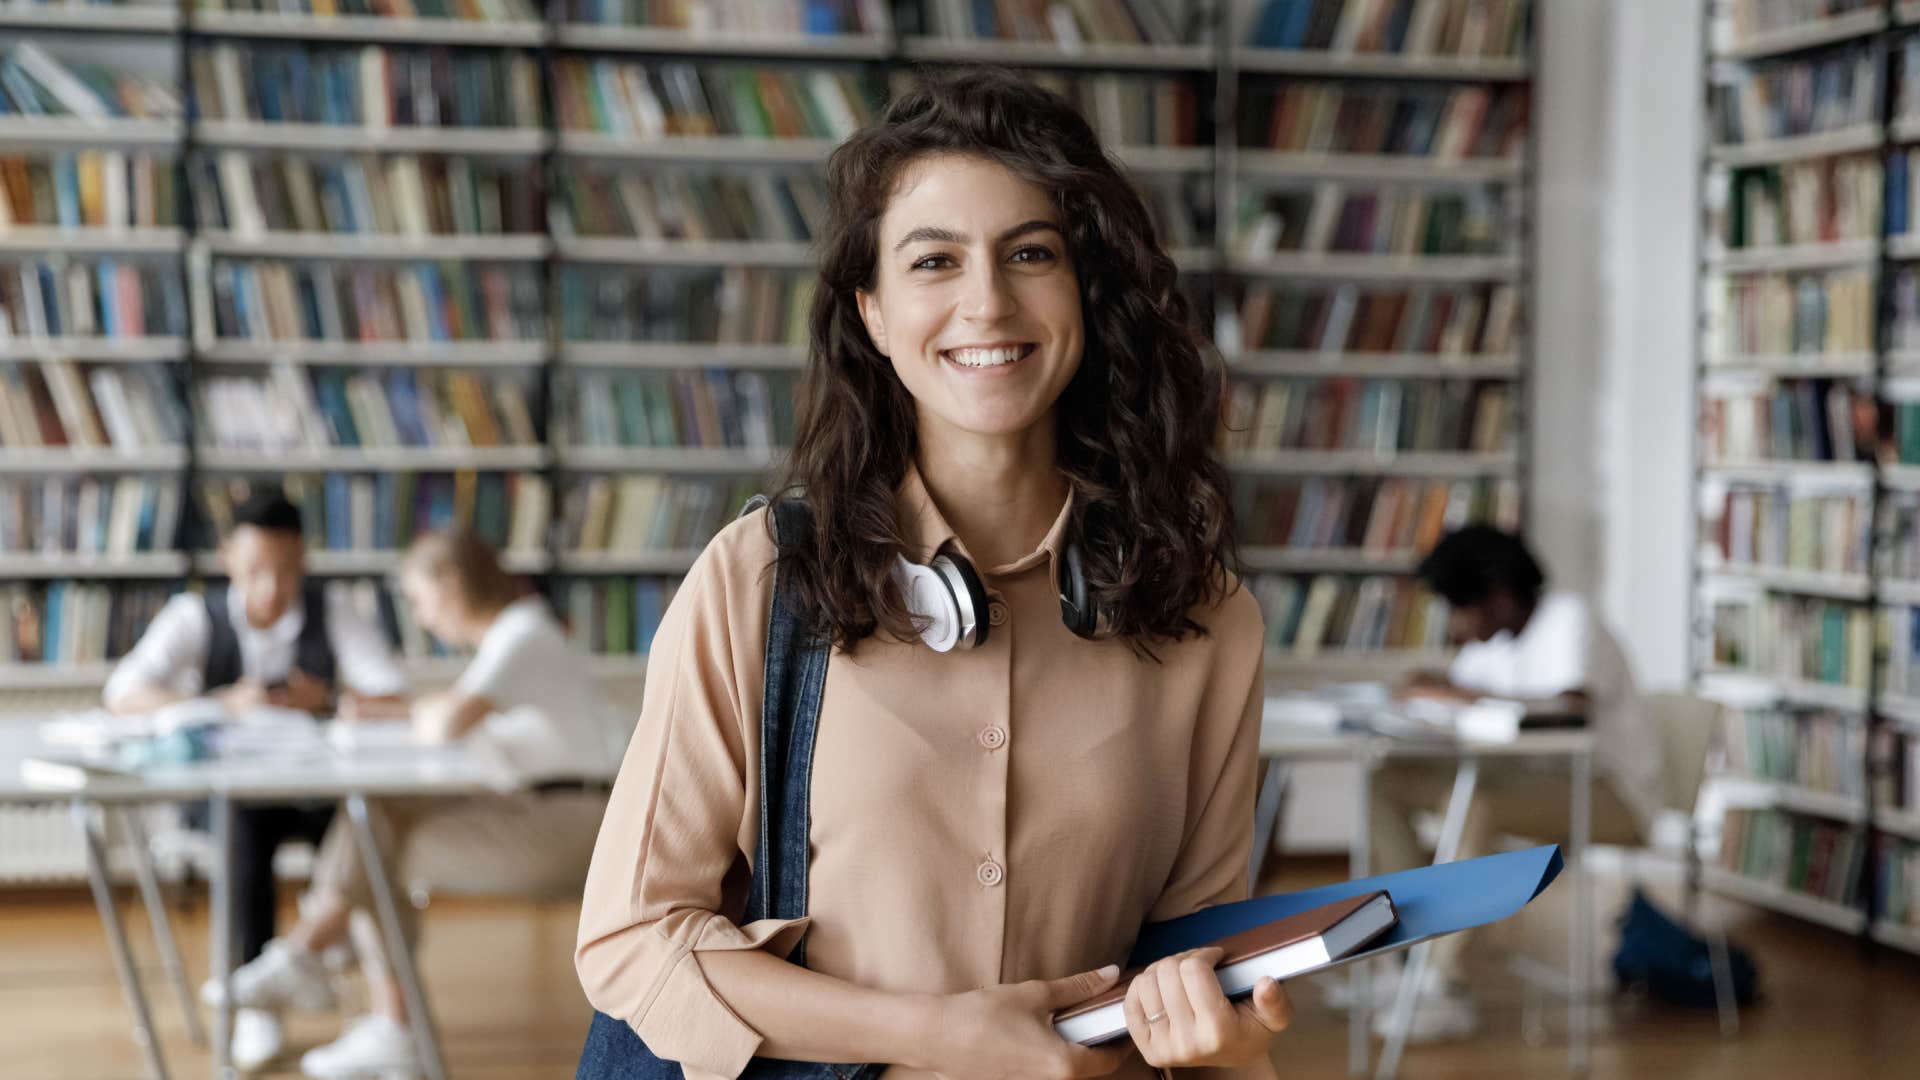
805	1016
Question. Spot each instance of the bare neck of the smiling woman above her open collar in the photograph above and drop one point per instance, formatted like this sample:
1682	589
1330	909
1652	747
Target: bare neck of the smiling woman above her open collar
999	495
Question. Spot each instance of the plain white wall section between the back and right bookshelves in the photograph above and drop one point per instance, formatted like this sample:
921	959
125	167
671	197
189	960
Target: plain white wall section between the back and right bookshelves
1612	430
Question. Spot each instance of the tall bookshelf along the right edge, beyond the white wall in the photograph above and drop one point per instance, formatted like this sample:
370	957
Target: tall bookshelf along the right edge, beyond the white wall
1806	570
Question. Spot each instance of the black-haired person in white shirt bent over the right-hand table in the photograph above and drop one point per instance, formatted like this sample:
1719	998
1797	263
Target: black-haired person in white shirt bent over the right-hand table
1548	650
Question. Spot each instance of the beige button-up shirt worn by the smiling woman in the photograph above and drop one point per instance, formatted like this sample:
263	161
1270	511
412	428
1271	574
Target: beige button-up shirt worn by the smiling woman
978	818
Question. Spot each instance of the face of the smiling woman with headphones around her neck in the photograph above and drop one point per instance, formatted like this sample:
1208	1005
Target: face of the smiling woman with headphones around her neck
976	299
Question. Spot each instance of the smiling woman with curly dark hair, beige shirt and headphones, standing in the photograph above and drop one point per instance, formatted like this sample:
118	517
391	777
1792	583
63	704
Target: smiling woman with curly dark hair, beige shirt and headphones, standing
873	858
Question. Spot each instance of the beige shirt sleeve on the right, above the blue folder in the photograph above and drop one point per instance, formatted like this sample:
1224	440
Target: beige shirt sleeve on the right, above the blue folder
1212	866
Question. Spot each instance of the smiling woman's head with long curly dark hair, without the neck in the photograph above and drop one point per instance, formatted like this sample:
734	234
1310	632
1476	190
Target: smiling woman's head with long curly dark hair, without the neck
980	230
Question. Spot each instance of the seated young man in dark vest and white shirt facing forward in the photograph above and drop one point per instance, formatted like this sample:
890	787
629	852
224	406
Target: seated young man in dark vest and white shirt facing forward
268	639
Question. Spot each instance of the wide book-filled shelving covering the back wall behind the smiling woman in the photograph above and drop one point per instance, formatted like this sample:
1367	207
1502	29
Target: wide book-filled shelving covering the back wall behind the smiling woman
542	174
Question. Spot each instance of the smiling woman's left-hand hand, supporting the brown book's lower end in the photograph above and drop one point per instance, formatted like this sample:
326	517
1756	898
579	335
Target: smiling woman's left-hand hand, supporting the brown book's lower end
1009	1031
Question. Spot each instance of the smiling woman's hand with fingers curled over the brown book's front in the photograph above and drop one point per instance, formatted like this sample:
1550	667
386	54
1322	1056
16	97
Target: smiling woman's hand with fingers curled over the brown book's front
1182	1019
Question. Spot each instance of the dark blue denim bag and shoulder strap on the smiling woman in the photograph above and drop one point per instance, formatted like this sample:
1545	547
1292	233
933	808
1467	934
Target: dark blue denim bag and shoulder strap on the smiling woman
790	714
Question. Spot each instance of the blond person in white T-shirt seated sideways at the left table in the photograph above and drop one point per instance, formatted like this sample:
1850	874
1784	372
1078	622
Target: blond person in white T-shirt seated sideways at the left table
527	697
